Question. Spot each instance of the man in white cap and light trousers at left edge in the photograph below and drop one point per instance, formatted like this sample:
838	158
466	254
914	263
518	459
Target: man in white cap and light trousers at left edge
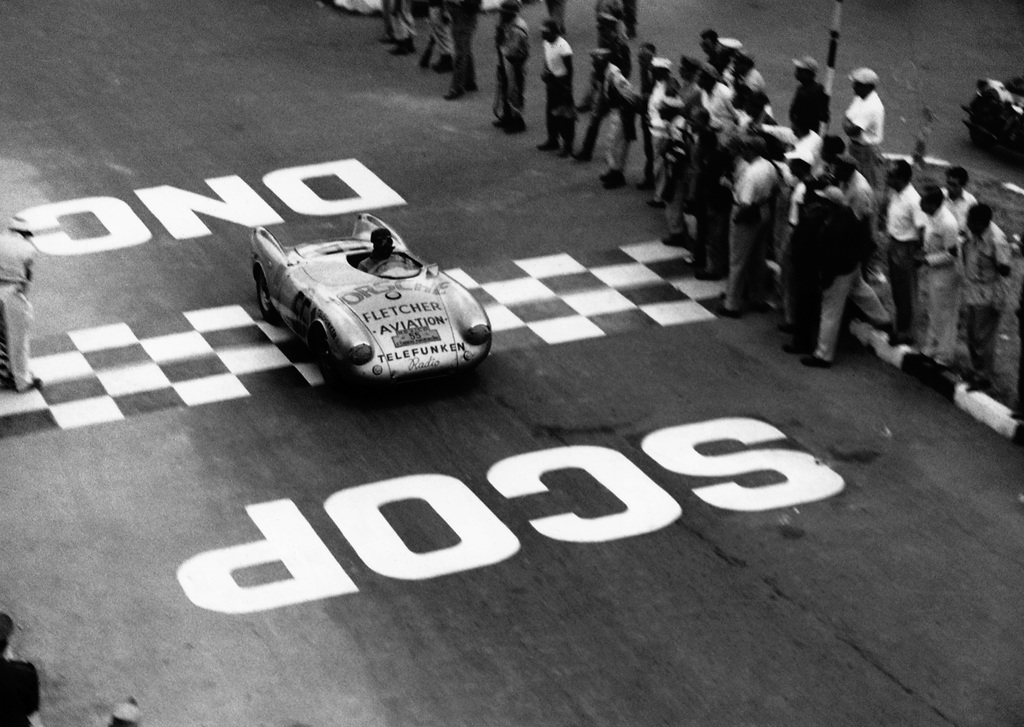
17	255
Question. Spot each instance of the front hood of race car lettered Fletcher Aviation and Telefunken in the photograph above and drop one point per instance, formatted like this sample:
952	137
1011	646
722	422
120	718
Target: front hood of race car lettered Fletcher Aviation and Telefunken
410	323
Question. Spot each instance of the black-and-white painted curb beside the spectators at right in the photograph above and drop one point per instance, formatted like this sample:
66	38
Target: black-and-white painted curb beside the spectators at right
978	405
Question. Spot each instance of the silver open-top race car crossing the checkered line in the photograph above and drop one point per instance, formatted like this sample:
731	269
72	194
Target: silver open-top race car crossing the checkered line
418	324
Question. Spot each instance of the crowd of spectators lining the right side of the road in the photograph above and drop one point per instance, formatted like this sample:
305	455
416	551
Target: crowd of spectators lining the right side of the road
742	185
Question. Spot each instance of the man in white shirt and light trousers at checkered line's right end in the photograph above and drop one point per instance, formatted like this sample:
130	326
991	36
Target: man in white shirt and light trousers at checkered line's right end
754	191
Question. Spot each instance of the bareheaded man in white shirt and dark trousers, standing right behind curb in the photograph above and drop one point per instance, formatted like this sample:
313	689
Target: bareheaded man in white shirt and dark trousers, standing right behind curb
903	224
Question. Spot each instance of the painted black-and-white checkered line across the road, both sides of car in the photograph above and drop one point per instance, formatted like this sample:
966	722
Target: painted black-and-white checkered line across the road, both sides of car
109	373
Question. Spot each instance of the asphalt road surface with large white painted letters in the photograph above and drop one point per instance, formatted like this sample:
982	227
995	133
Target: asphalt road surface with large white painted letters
721	537
